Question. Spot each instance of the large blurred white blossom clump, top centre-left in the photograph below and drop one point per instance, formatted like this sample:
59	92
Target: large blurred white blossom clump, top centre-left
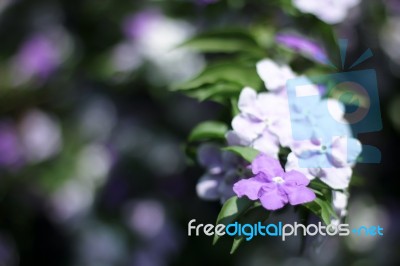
153	37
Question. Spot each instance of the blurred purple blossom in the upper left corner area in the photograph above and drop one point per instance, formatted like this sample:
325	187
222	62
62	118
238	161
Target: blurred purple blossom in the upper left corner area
39	56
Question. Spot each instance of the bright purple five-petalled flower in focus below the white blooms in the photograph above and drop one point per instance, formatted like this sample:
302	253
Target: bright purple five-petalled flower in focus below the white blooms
272	186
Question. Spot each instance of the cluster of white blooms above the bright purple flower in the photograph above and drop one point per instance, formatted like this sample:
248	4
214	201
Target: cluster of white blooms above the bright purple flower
268	121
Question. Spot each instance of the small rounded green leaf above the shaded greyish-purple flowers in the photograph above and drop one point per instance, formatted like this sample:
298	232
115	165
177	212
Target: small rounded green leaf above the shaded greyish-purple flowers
208	130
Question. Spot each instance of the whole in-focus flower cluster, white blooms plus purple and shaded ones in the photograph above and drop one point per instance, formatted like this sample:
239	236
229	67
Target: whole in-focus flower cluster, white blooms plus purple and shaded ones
313	129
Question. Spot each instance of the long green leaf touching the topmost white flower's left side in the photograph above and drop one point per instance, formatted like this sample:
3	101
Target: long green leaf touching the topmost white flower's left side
233	72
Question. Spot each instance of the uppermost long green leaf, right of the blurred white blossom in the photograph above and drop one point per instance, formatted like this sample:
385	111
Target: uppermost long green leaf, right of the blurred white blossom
227	41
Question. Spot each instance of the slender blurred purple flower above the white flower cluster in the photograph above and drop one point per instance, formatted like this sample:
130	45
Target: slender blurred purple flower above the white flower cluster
303	46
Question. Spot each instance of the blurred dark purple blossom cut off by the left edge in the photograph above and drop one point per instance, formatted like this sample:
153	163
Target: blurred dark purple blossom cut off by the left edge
10	148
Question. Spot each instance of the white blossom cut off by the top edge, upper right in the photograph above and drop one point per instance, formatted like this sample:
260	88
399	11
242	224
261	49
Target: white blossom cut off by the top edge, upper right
329	11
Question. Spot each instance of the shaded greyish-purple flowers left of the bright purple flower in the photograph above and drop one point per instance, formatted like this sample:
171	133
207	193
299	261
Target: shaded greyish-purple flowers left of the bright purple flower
222	173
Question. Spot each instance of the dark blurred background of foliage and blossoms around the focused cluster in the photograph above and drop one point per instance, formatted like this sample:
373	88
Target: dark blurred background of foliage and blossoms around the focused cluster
92	163
